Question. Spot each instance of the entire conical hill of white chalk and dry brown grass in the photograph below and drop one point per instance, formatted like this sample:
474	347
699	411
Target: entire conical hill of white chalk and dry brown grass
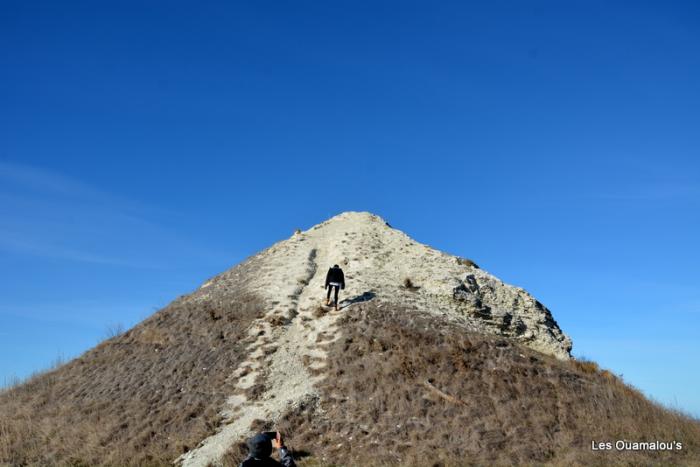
428	351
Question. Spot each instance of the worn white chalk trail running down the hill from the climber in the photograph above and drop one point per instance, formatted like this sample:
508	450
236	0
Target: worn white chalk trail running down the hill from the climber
280	358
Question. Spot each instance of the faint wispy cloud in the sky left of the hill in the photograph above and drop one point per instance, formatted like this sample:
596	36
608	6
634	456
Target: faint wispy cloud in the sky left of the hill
47	214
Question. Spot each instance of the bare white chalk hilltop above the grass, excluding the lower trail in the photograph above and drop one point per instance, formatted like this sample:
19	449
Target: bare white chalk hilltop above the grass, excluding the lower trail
384	263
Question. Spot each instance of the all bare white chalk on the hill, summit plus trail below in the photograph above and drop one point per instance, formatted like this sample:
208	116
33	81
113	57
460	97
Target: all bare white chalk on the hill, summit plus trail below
381	264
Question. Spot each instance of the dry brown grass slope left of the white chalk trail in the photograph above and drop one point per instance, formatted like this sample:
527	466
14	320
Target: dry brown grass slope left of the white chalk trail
141	398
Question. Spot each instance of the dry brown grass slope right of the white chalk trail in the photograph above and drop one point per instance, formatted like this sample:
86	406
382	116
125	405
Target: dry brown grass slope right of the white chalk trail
405	389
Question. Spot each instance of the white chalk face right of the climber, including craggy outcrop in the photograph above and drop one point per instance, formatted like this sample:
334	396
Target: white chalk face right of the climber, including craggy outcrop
380	259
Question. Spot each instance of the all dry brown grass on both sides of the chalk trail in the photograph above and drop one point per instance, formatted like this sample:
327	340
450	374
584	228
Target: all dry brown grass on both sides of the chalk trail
403	388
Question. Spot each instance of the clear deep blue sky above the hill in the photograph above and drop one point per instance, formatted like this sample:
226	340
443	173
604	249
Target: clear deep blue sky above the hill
146	147
